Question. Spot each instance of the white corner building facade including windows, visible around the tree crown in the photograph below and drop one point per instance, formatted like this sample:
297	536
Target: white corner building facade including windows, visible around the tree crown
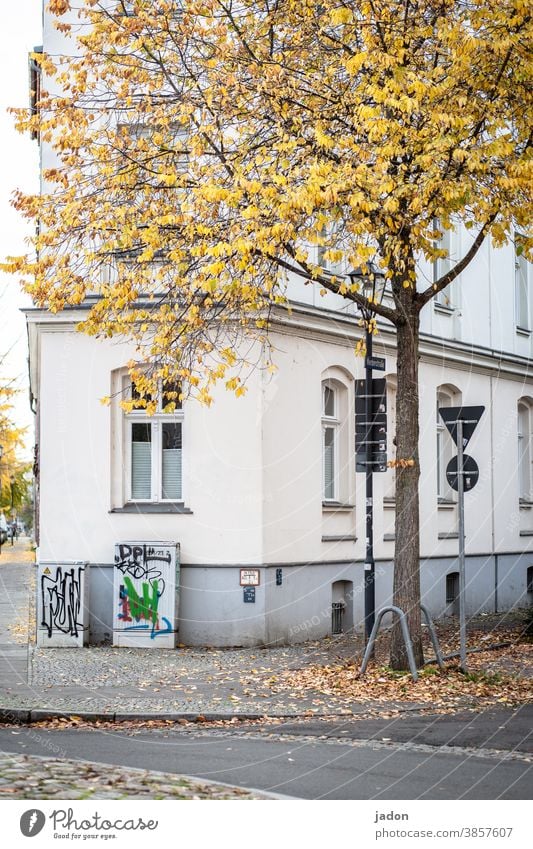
267	483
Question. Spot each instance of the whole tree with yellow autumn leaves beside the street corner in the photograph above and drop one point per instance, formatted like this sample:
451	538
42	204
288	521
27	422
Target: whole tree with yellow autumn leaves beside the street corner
201	145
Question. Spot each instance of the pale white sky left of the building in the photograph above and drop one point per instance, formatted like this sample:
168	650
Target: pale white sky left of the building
20	32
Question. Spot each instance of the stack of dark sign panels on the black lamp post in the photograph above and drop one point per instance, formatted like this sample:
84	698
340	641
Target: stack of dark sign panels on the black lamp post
372	431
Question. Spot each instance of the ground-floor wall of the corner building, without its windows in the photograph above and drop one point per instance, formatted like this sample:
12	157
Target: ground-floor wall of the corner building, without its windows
253	484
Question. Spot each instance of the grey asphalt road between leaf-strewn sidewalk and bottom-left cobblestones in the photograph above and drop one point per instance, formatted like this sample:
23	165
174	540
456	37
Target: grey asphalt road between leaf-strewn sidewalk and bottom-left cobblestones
385	760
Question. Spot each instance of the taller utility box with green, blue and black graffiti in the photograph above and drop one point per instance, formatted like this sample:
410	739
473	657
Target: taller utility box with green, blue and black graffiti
146	594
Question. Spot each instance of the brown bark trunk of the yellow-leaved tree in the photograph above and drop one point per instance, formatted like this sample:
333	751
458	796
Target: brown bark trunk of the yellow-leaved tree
406	592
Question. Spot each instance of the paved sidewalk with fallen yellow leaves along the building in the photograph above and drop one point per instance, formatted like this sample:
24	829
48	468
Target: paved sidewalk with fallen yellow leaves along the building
120	684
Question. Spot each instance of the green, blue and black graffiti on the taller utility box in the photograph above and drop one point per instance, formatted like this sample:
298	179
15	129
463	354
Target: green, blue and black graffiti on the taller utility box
145	570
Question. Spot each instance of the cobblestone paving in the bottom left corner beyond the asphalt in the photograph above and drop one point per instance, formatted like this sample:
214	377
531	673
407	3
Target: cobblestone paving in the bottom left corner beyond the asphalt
30	777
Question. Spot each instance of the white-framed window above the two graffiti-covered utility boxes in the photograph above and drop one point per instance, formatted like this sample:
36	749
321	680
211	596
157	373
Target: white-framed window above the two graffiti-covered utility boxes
153	445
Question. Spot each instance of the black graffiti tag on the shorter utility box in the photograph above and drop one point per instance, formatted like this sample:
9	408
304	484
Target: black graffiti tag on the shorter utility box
61	600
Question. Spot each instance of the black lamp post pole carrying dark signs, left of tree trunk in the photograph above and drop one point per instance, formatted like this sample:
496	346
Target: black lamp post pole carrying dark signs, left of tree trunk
370	595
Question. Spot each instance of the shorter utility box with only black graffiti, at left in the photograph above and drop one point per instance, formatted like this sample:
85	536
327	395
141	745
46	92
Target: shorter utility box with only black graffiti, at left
62	604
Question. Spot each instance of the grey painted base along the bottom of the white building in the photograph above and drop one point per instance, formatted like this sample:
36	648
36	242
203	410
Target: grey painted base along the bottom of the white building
293	602
